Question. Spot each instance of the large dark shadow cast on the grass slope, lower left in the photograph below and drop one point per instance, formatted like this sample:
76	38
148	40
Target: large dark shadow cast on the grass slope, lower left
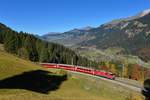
37	81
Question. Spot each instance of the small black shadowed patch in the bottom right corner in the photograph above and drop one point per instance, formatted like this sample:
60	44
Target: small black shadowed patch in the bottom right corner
146	90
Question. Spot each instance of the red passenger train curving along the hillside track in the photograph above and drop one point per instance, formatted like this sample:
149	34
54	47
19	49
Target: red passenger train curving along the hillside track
80	69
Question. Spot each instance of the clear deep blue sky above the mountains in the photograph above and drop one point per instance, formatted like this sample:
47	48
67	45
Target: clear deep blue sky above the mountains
42	16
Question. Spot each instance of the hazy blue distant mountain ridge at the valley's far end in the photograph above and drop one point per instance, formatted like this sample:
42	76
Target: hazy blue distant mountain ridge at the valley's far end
69	38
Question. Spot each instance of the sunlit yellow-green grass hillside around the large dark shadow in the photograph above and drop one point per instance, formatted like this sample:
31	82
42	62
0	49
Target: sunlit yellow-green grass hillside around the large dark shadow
77	87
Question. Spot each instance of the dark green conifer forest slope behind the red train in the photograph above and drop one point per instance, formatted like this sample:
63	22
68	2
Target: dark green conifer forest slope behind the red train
34	49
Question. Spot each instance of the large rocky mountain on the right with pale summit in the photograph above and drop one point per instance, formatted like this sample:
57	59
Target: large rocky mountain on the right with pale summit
133	35
